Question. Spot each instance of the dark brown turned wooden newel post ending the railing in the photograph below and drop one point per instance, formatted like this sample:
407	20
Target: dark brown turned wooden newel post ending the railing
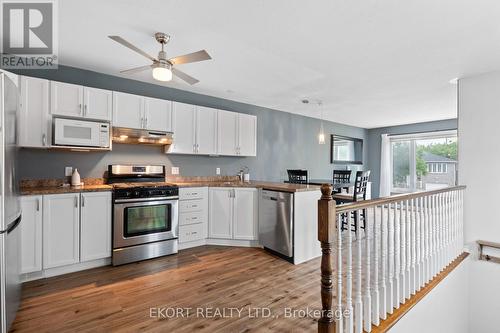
326	235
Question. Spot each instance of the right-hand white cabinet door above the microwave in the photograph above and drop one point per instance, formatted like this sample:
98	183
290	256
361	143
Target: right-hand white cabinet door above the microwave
97	103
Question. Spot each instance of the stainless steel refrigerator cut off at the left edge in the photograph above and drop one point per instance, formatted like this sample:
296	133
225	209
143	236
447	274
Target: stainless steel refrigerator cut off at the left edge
10	211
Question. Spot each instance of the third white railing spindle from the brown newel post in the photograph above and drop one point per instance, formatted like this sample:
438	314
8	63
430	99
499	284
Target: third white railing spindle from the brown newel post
367	300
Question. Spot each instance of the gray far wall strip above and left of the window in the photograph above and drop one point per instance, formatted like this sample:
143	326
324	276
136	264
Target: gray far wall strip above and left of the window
373	141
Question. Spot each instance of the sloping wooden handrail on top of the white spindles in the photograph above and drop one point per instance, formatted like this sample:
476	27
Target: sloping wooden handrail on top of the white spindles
393	198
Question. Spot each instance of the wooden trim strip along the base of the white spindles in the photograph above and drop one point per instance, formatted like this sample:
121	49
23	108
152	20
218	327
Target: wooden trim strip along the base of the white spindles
392	319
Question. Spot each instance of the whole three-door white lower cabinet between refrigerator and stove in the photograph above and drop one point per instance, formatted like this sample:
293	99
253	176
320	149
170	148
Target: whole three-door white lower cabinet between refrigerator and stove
64	229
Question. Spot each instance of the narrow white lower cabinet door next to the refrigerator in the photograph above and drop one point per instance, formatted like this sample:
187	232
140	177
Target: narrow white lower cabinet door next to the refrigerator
31	234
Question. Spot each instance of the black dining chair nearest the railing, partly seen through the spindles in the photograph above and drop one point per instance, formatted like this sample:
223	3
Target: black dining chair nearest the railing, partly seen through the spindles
359	194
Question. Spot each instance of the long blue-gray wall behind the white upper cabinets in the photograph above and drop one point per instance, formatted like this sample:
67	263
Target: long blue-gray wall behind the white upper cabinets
284	140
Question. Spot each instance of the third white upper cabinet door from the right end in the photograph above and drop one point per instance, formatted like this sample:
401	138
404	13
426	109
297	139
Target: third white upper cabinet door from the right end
206	130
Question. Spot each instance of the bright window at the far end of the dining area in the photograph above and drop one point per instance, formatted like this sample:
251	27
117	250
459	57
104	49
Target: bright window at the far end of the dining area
423	161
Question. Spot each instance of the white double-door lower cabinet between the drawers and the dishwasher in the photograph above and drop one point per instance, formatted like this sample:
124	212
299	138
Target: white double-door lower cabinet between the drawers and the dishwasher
233	213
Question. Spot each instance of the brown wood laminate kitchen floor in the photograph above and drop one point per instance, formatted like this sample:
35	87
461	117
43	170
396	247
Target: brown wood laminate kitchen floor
210	278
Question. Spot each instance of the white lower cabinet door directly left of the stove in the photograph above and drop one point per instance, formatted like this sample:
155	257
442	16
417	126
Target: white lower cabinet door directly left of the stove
95	226
